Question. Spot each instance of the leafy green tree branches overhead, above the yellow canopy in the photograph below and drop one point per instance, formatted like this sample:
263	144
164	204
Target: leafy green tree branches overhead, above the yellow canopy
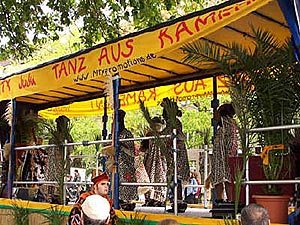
26	24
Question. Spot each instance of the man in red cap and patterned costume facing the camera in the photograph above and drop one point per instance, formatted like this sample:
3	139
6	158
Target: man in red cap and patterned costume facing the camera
100	187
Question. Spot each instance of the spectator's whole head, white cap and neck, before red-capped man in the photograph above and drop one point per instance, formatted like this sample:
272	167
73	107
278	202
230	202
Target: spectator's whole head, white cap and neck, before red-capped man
95	210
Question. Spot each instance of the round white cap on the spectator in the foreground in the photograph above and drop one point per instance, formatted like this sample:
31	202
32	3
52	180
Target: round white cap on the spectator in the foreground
96	207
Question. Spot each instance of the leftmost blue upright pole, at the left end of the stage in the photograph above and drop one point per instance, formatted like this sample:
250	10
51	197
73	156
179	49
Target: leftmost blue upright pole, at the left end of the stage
12	158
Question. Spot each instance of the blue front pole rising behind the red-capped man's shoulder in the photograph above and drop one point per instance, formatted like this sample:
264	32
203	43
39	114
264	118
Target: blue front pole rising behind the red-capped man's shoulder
116	83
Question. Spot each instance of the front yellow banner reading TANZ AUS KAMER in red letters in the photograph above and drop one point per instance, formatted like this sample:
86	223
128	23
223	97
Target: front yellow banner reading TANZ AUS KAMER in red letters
123	54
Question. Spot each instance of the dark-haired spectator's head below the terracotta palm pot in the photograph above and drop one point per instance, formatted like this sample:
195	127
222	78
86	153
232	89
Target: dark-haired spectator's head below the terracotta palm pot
254	214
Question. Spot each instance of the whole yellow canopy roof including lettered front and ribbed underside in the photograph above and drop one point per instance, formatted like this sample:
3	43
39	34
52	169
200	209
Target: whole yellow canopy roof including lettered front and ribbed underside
145	59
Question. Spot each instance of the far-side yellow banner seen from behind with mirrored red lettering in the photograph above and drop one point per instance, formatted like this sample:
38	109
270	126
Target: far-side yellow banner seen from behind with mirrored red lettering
185	91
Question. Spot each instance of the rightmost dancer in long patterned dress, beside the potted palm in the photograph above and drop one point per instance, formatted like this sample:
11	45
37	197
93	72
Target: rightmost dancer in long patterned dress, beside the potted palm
225	146
